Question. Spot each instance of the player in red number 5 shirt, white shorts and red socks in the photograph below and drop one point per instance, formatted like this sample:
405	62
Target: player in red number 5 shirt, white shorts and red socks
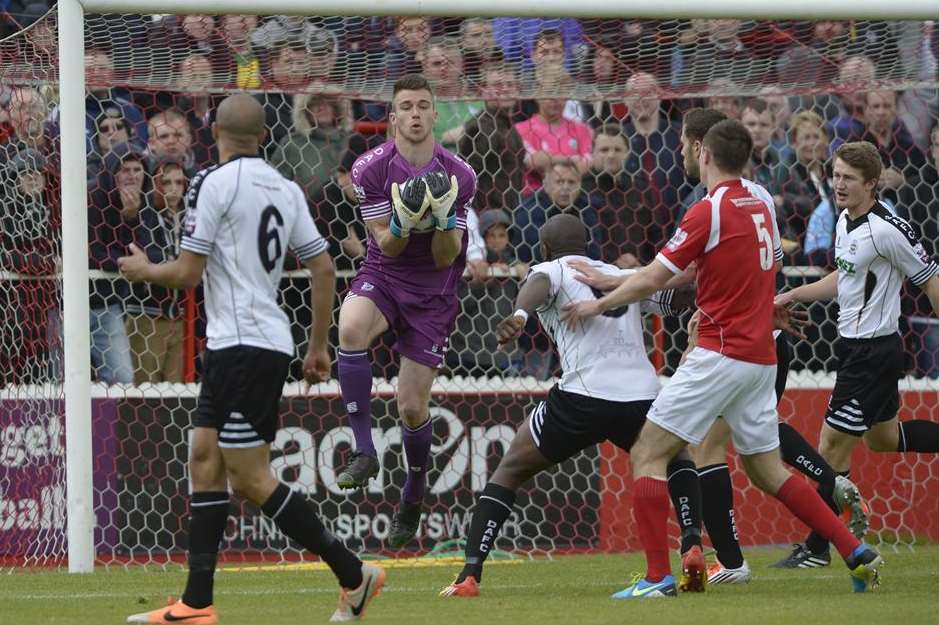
732	237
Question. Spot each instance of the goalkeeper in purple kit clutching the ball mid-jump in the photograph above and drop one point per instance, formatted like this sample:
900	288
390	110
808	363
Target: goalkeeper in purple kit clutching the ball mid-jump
413	196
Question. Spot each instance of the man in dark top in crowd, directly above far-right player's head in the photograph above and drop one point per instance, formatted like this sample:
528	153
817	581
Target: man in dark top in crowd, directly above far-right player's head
902	158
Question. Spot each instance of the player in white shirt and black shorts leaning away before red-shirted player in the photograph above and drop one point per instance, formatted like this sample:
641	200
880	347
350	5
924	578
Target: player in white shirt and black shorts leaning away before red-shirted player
590	404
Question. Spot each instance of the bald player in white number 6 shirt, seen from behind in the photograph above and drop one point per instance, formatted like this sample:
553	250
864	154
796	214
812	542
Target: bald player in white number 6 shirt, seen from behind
241	217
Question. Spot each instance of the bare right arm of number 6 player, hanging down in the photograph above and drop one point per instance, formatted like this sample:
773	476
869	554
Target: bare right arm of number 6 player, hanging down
322	299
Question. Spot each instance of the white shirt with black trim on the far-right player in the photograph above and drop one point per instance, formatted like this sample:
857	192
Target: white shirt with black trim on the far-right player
874	254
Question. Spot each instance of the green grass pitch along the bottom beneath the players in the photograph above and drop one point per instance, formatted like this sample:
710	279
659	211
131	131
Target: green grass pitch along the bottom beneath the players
566	590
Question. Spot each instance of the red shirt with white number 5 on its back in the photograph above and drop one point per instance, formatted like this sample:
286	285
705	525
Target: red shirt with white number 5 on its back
733	236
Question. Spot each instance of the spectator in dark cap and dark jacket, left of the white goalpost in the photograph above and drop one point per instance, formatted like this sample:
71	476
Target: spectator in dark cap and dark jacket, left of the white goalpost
29	232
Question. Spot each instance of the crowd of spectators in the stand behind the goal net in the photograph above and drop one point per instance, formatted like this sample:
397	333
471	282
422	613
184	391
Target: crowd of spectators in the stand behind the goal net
555	115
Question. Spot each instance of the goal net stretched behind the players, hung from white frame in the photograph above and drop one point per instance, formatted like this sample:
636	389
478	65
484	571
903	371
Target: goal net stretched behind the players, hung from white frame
606	95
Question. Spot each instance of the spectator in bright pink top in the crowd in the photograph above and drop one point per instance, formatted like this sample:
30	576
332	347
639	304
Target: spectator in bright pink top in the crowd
550	139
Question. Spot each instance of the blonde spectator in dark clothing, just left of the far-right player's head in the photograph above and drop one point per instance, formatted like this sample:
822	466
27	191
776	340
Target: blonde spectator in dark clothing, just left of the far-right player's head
802	186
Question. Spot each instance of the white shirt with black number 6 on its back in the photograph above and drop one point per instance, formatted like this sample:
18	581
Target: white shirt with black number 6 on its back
244	215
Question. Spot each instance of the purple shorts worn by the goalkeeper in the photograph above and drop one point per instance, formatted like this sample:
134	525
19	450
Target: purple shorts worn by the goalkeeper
422	322
